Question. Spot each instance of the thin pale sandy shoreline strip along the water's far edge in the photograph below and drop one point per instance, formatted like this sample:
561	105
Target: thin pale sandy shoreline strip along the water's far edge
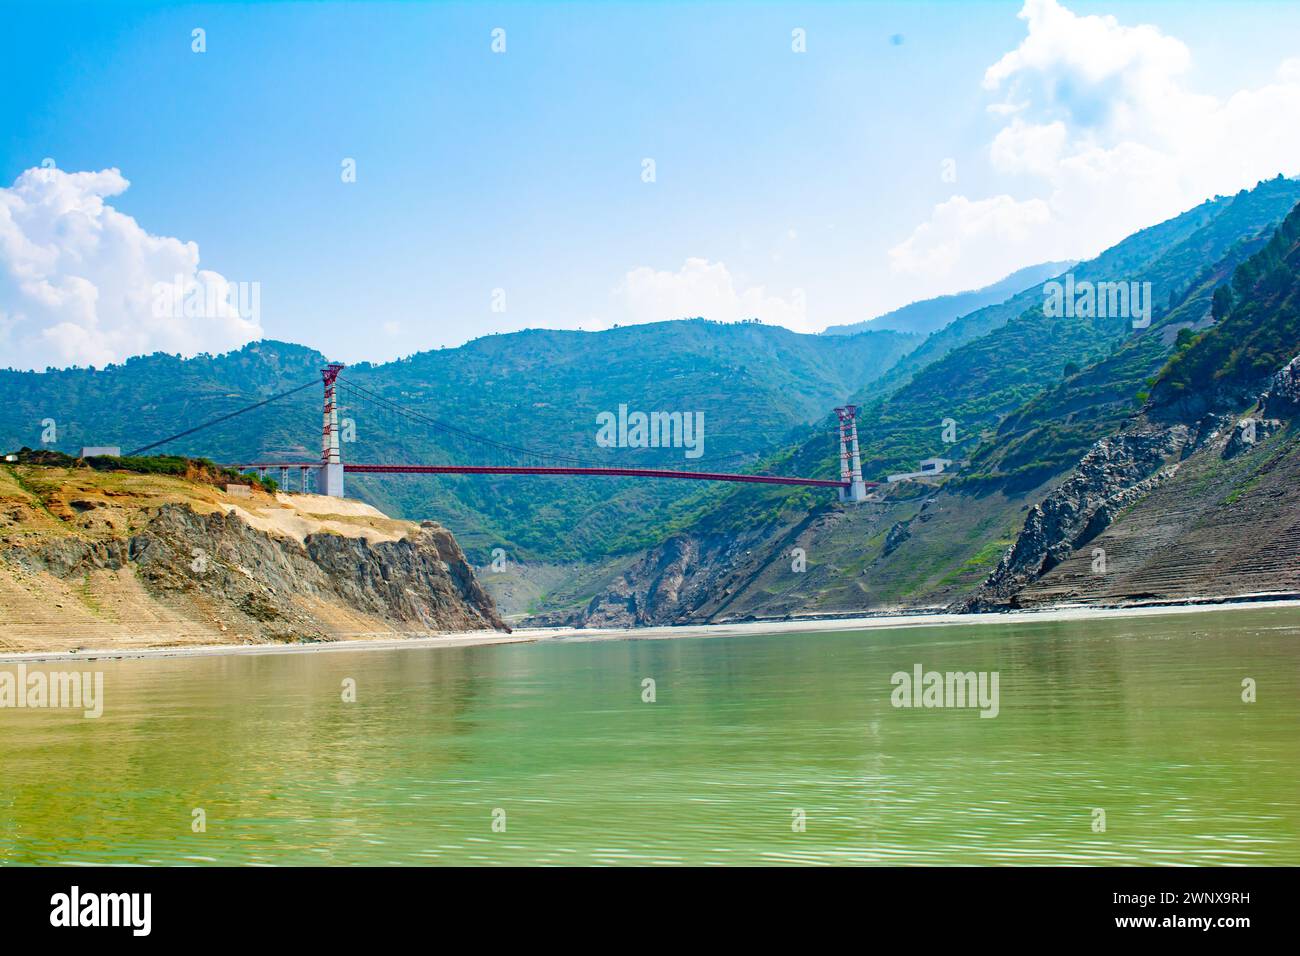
470	639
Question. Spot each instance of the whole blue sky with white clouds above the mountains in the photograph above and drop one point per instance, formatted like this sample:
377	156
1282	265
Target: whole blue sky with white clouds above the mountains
376	180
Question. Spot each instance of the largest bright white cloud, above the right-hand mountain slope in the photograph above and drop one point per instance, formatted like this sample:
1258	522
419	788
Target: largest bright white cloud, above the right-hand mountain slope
1102	132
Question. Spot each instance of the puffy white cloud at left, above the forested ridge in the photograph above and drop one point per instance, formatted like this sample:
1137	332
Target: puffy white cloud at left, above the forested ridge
80	280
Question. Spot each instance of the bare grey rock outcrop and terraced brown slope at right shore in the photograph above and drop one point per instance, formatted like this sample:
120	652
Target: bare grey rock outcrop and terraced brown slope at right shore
1220	524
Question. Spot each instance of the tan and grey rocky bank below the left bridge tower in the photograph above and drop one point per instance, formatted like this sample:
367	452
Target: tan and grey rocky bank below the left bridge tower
101	560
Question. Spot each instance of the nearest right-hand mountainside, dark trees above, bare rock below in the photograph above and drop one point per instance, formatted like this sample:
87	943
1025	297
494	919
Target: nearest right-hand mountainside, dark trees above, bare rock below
1194	498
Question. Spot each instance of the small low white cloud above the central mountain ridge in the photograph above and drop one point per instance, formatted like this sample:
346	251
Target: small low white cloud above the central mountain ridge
701	288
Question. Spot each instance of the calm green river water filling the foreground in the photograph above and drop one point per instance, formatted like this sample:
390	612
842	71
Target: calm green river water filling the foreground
1142	719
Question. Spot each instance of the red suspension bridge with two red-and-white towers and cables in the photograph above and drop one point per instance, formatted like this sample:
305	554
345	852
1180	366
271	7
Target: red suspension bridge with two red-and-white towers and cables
327	475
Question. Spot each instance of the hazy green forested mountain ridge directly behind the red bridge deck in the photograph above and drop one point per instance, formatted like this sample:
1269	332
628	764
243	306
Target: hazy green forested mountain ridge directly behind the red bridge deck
536	390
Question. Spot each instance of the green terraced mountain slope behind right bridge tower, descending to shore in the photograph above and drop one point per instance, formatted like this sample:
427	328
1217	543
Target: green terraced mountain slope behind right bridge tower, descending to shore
1029	395
